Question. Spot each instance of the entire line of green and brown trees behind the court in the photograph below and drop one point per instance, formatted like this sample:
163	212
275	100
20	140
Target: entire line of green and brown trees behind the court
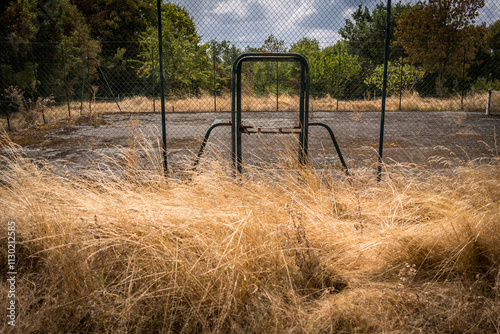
437	49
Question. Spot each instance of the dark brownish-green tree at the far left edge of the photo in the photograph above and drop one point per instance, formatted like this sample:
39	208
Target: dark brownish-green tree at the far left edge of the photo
60	33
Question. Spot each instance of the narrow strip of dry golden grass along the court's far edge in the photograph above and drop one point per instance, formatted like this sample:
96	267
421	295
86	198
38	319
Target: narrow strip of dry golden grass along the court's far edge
204	103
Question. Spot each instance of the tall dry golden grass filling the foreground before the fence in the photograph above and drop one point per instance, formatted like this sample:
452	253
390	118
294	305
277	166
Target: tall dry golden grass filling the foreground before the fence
277	251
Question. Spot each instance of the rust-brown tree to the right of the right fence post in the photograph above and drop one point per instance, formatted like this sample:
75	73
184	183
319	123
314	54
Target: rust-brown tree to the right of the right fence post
441	36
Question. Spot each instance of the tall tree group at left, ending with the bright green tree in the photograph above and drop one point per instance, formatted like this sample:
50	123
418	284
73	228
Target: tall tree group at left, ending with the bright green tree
68	41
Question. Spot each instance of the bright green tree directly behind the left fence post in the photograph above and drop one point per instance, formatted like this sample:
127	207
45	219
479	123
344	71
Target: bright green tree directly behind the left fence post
186	62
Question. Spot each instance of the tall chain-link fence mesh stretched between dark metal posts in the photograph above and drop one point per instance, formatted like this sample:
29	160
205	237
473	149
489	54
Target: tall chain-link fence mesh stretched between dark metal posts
76	101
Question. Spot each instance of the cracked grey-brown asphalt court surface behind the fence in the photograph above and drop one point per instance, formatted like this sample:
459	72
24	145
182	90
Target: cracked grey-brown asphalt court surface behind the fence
409	137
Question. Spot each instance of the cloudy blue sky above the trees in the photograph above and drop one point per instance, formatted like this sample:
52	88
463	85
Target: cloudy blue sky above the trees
250	22
